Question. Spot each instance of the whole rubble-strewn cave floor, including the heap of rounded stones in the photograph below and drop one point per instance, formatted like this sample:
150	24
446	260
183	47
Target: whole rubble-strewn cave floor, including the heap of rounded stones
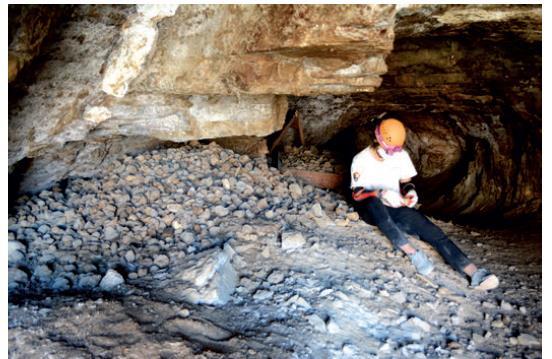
179	227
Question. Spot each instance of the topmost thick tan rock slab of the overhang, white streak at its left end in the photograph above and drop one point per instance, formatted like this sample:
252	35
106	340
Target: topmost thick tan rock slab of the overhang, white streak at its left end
278	49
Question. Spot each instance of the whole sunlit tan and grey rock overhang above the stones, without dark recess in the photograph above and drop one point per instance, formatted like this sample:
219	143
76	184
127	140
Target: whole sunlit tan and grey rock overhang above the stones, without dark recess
178	73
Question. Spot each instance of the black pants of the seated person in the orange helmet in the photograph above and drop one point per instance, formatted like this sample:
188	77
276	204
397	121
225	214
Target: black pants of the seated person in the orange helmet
394	221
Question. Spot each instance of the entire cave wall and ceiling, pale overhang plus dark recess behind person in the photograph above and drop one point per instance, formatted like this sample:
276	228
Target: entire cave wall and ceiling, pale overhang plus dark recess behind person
466	79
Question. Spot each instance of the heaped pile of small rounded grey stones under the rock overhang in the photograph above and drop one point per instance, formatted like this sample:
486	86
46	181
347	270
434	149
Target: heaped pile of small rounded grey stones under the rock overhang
140	213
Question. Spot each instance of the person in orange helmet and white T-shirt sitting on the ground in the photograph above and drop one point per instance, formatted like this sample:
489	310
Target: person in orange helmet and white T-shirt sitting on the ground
384	195
